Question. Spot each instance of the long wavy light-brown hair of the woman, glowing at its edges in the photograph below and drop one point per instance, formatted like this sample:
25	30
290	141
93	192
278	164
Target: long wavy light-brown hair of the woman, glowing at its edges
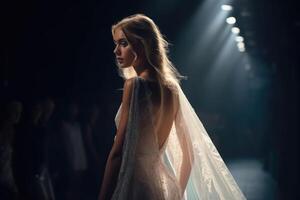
144	36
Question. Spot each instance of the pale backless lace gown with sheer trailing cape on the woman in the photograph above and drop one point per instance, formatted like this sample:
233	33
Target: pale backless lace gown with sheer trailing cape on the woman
148	172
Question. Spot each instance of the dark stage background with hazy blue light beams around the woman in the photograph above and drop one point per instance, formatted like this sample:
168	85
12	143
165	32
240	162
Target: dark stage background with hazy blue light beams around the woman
58	77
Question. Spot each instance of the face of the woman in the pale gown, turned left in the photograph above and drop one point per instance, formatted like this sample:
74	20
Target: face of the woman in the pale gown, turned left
125	55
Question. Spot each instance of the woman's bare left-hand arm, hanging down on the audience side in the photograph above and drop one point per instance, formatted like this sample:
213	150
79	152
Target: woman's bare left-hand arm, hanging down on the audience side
115	156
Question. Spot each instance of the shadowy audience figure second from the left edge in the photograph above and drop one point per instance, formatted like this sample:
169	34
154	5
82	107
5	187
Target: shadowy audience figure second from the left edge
27	156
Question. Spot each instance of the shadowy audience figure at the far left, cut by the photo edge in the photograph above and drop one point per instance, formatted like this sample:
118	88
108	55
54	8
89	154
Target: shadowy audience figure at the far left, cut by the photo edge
10	115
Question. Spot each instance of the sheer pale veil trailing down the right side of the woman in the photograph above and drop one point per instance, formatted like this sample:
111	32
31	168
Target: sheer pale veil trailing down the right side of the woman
209	177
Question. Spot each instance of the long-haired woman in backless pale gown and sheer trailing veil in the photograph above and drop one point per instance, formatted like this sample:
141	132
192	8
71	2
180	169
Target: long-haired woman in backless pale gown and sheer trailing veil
161	150
